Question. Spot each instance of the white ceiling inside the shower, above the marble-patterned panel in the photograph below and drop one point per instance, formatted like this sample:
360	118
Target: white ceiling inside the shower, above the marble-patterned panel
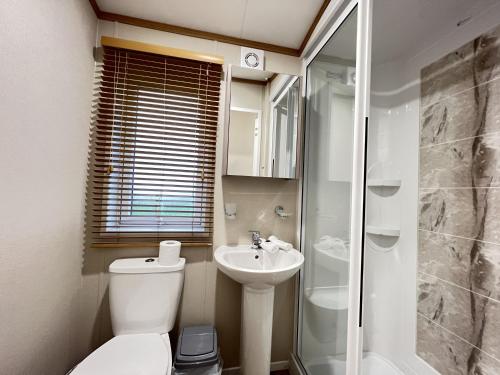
401	28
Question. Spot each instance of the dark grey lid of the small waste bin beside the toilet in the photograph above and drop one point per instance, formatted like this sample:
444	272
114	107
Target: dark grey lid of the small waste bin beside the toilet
197	347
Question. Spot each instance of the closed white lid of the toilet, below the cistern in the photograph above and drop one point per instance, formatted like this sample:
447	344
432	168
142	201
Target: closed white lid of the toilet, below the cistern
137	354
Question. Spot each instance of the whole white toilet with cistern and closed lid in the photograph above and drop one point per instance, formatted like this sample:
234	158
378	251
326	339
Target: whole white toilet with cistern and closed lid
144	297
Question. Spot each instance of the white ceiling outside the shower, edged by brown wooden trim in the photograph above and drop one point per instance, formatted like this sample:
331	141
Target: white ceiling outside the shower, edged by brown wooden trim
281	22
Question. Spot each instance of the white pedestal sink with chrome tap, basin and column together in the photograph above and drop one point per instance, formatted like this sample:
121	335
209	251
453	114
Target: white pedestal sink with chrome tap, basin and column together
258	271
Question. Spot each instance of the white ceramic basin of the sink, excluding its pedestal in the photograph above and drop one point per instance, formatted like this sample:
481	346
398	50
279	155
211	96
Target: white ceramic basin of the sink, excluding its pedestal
257	268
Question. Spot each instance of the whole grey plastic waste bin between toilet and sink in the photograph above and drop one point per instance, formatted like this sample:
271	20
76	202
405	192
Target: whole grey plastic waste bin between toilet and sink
197	352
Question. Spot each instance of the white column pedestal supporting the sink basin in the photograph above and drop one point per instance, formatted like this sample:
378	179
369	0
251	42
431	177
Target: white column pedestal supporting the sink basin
256	330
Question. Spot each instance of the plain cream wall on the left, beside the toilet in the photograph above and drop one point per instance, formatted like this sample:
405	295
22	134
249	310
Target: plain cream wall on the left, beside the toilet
46	70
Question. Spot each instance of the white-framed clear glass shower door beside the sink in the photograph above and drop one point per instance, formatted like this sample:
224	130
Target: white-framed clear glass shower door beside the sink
332	204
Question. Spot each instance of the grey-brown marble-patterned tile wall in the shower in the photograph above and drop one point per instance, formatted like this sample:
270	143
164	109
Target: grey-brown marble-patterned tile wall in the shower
458	328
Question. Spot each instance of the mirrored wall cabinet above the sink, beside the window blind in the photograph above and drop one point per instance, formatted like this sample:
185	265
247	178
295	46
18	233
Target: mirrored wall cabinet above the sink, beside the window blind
263	126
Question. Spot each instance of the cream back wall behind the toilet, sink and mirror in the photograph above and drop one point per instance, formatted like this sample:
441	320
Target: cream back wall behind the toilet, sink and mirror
209	296
